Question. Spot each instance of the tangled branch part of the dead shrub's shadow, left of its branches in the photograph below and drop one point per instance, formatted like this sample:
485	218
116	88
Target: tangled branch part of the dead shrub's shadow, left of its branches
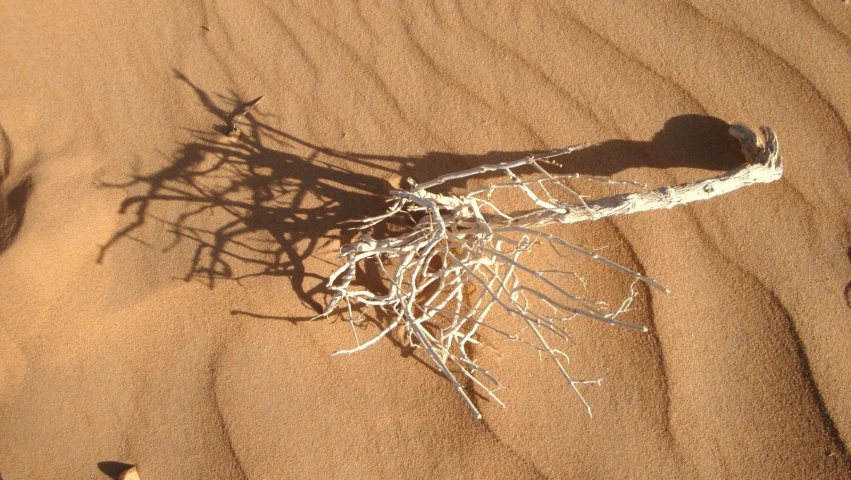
249	200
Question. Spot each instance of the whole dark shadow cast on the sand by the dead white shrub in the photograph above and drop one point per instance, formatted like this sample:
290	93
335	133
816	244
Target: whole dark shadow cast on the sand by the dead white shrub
261	203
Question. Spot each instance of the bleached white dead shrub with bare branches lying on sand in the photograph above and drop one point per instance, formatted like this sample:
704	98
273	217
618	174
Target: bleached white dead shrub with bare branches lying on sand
463	257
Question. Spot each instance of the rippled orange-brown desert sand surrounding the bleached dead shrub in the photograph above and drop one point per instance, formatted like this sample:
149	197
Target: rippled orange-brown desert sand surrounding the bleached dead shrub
157	275
